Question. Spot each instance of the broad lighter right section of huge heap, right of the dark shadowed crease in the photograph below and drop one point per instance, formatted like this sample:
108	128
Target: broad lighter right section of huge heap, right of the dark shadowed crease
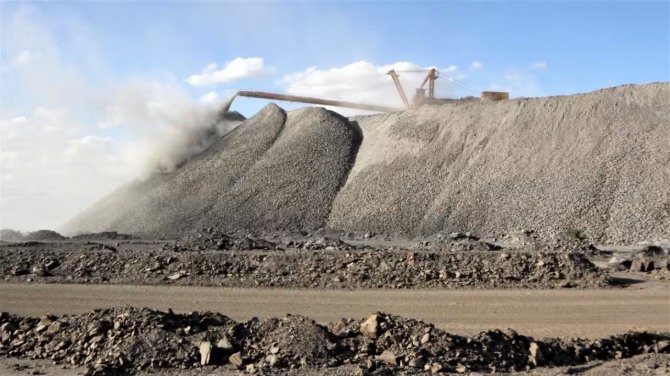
594	163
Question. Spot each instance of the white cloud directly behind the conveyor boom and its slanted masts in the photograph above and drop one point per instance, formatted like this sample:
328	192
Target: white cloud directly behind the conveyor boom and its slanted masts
363	82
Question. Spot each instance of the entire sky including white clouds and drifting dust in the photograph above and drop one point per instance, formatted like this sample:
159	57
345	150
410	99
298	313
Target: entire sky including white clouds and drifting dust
87	87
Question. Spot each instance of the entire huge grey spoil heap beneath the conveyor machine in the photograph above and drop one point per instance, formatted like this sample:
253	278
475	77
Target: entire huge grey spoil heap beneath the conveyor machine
595	162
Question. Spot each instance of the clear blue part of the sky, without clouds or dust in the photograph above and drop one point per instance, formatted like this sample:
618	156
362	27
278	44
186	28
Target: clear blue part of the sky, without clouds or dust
586	45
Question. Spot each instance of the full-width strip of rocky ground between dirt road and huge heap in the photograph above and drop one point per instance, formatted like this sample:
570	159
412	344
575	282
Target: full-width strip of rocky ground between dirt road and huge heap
213	258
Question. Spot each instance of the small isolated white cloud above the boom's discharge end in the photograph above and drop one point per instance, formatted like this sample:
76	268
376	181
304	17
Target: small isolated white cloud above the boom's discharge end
236	69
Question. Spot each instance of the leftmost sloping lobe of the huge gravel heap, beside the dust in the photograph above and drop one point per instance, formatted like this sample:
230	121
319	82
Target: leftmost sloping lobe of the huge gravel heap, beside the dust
165	203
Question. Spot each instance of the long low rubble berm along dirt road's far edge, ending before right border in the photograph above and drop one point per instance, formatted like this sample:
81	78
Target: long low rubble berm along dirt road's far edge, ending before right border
316	265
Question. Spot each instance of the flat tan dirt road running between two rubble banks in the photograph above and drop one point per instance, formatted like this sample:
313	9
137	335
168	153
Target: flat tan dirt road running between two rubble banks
583	313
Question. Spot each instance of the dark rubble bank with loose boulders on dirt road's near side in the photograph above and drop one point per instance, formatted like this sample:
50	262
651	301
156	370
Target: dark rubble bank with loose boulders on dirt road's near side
128	340
